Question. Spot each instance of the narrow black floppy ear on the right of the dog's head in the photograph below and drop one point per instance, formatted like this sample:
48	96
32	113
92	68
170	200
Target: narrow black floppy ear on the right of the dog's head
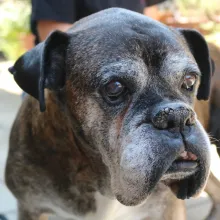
200	51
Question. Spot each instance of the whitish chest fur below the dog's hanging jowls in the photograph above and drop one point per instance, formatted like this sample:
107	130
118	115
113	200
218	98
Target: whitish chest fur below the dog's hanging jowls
107	209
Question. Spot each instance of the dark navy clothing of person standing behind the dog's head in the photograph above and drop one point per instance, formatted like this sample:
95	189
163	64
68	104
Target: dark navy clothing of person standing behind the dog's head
70	11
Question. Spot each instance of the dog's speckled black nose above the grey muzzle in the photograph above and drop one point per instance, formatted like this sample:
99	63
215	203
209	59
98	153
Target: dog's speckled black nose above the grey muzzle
173	116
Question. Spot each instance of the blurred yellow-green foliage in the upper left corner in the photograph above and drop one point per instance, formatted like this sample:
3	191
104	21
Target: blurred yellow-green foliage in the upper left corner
14	23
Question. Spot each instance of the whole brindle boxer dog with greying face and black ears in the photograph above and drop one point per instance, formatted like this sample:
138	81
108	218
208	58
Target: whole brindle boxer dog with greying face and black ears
109	121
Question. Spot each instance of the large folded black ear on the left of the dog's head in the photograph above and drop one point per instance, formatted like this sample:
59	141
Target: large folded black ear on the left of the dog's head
42	67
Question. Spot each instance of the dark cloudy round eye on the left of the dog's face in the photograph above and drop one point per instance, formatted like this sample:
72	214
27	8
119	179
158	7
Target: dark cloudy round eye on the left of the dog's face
115	91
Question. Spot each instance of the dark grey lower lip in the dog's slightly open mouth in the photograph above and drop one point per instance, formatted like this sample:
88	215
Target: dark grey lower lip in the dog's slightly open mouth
183	166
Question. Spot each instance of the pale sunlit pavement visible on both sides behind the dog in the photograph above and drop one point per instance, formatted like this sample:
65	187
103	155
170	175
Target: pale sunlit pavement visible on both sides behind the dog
10	101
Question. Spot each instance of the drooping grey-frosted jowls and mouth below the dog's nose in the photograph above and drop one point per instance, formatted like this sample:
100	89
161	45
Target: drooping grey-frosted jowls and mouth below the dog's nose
146	160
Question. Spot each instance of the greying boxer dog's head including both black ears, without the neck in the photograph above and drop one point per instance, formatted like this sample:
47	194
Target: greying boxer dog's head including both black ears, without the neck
130	82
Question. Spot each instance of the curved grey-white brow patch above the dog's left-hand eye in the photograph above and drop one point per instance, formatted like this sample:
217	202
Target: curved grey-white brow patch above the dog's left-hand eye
134	69
